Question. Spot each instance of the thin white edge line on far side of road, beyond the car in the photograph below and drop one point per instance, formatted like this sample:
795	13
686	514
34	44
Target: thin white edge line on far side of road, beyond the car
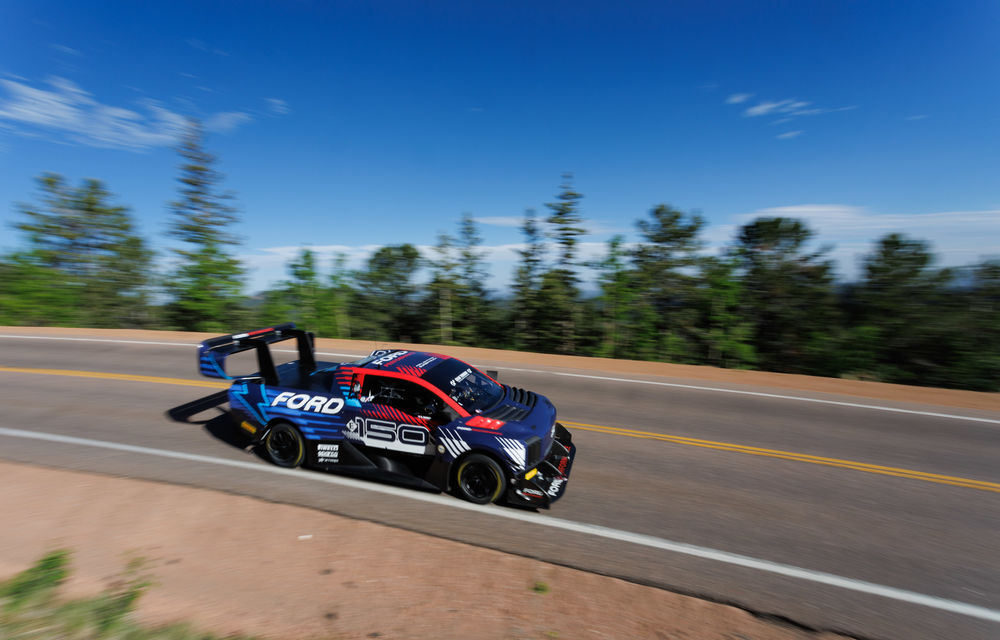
676	385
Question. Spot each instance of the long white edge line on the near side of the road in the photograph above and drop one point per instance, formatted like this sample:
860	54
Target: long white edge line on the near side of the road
912	597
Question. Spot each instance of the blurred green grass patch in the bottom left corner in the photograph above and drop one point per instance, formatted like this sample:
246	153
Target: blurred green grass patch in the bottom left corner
30	608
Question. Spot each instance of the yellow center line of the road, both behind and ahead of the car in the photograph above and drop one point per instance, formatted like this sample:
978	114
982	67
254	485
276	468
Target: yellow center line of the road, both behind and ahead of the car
617	431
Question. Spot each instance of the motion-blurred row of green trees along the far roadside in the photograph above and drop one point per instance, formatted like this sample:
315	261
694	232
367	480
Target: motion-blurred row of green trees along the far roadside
767	301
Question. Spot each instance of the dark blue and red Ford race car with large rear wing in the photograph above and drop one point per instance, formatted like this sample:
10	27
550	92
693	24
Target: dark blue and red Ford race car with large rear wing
412	417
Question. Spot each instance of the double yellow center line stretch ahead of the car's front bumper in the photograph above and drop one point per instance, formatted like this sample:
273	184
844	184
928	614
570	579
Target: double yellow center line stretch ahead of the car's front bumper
981	485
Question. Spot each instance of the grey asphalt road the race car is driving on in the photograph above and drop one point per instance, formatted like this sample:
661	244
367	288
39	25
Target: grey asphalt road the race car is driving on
905	500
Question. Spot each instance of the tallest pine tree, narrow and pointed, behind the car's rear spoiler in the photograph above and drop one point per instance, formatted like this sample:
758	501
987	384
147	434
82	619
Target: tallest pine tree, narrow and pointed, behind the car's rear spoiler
206	286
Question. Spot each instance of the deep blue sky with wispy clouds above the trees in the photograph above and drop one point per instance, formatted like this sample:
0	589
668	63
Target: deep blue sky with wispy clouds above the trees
348	125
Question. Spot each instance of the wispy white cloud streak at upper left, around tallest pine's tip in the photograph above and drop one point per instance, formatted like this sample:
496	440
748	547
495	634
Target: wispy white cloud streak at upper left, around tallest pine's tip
66	108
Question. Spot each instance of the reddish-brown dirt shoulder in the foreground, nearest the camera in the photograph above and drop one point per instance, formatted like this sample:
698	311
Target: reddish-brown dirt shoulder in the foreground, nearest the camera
231	564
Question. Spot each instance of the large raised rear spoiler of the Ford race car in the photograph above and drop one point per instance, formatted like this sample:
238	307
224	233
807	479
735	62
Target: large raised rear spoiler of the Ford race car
212	353
